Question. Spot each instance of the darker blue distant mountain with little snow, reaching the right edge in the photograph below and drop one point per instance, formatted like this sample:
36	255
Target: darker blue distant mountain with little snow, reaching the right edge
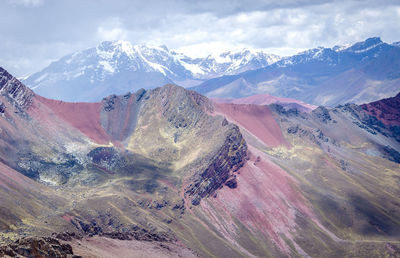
364	72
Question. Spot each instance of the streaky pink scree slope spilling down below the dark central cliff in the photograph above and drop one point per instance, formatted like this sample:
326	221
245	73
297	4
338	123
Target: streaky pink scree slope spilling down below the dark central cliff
265	201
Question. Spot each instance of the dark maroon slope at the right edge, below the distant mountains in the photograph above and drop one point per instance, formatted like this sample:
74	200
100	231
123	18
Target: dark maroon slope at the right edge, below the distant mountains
386	110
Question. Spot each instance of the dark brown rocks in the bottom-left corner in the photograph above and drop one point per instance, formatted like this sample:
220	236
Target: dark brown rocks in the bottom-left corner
42	247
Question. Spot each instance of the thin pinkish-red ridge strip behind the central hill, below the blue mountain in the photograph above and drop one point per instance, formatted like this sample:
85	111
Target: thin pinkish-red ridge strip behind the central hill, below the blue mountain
266	99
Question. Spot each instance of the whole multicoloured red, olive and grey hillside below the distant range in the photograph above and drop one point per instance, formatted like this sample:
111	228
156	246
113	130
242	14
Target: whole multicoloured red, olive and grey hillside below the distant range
170	166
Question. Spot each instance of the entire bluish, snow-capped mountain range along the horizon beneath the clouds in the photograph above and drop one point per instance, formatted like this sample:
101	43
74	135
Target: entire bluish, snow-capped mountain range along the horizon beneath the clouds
359	73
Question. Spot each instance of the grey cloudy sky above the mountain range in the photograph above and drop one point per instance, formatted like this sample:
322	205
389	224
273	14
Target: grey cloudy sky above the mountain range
36	32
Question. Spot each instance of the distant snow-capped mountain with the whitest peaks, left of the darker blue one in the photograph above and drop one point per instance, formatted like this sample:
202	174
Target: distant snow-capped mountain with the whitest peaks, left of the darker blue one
116	67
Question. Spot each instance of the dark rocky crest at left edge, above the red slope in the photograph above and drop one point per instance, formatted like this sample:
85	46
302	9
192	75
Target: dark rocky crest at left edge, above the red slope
19	94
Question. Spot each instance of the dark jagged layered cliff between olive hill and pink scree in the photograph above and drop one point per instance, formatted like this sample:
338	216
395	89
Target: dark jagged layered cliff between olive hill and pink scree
230	158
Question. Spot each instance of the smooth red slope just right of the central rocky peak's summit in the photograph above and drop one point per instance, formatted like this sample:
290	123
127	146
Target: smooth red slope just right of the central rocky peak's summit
256	119
